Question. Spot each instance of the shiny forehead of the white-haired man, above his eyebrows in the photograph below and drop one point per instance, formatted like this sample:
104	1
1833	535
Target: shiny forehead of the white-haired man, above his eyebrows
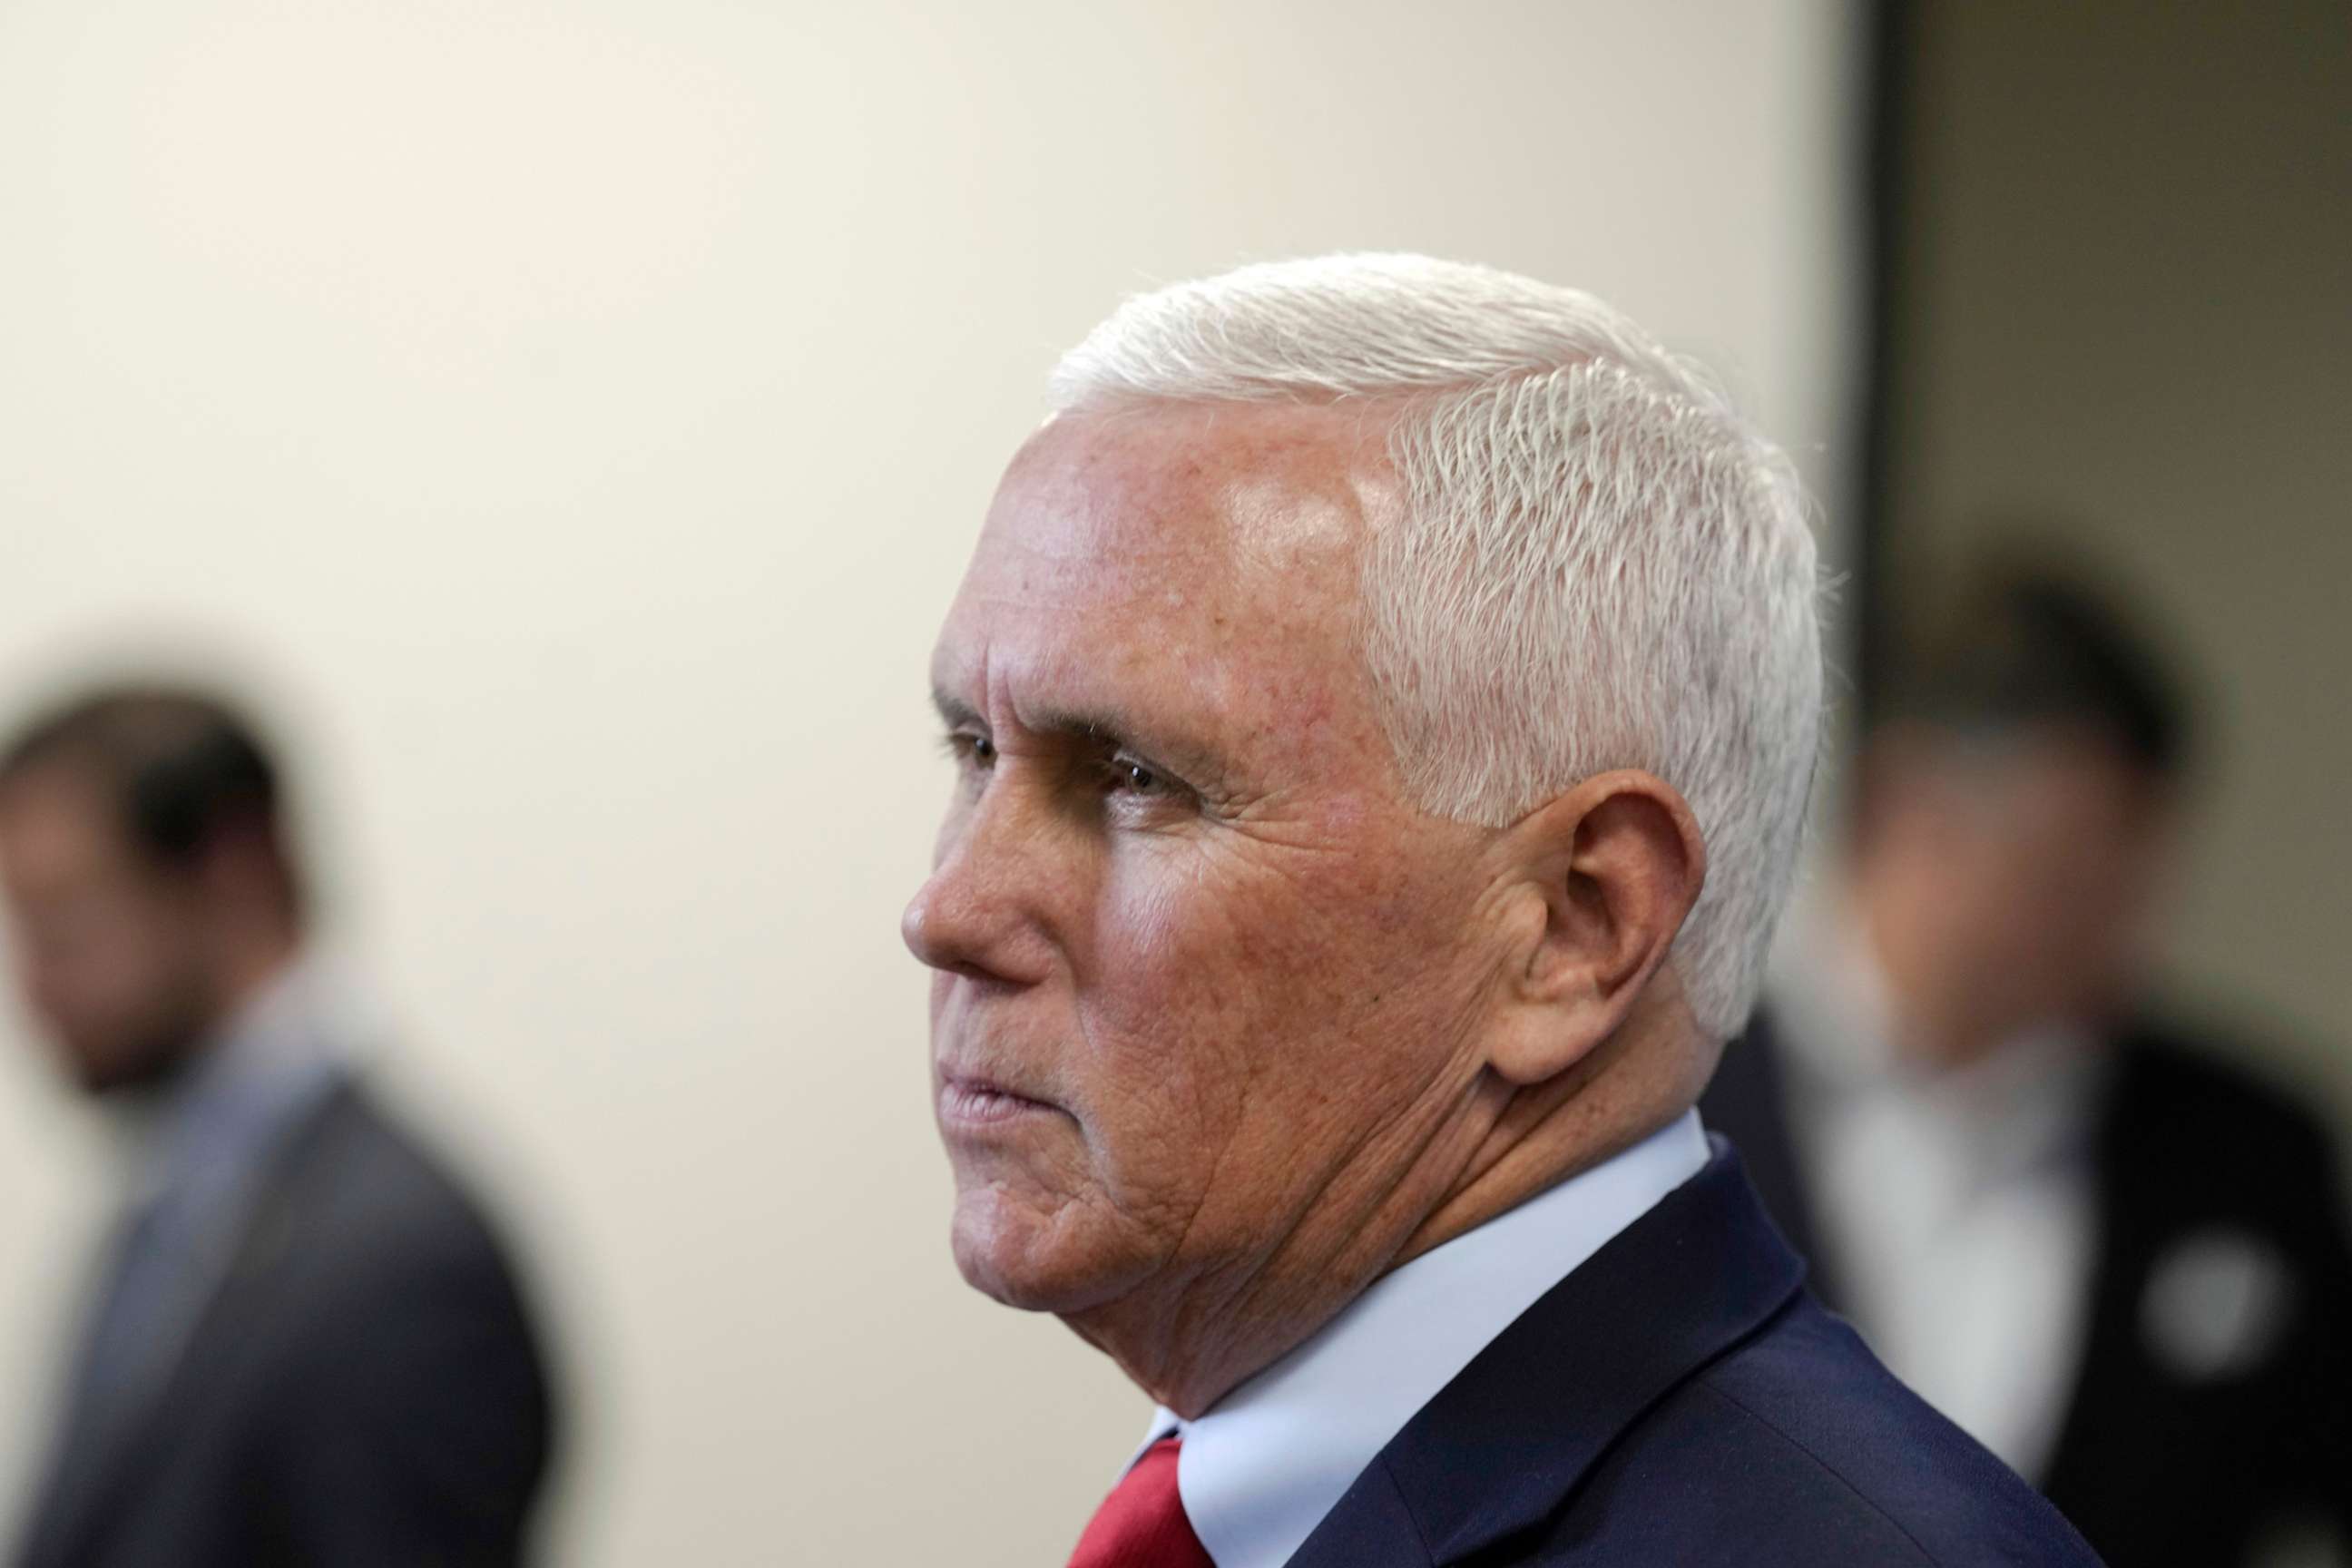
1194	554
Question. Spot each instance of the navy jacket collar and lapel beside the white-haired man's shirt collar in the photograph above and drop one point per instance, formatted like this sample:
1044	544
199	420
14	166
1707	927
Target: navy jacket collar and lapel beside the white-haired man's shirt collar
1511	1438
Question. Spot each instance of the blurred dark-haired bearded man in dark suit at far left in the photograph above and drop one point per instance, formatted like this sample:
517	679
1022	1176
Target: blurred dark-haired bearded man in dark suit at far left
305	1346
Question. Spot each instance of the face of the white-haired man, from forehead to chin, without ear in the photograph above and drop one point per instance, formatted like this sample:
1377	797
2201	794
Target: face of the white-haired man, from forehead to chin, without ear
1201	972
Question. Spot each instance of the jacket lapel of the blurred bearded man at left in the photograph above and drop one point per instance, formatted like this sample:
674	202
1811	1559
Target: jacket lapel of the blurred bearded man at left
86	1482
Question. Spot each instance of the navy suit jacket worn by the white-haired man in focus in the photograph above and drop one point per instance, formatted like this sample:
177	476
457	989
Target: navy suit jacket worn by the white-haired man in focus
1683	1400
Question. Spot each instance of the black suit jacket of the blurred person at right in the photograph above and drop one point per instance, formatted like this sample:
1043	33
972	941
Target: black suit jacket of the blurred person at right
2160	1456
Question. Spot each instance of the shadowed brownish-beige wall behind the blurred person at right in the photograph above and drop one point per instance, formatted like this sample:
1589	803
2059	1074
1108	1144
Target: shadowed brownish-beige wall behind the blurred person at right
2127	311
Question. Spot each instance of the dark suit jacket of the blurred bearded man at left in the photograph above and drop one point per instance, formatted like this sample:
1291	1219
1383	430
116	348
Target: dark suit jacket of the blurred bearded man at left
359	1386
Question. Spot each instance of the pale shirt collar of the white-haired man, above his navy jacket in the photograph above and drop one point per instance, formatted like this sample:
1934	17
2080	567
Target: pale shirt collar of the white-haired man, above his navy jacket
1269	1461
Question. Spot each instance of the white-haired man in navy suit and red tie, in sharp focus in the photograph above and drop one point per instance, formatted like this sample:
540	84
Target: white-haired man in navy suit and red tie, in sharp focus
1384	704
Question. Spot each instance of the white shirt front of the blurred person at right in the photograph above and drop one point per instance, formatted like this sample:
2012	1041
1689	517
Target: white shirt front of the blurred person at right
1956	1207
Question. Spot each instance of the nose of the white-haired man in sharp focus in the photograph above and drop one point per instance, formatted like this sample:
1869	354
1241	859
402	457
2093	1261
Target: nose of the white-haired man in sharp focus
980	911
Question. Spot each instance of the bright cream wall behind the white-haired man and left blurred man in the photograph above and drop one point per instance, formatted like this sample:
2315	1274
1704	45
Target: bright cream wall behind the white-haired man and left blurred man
573	422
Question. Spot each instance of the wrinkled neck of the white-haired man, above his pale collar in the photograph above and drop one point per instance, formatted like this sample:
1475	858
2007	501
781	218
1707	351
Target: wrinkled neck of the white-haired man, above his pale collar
1490	1151
